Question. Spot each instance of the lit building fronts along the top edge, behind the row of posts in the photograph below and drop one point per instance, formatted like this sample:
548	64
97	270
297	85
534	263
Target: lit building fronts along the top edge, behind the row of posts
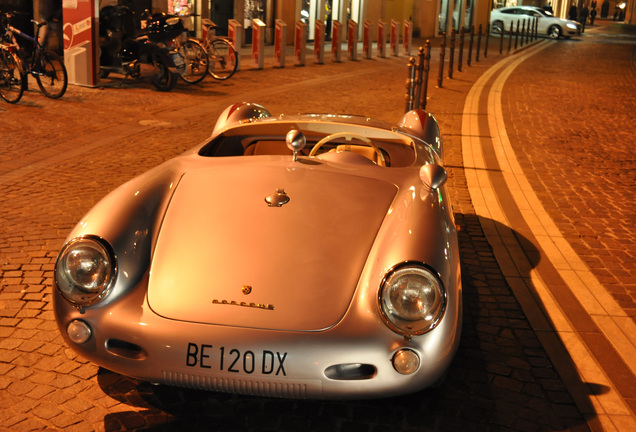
429	18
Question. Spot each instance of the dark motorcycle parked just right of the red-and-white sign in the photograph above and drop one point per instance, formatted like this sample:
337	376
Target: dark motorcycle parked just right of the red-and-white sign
124	49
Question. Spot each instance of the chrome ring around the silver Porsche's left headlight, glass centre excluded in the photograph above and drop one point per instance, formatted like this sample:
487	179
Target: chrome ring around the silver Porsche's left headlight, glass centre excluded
67	289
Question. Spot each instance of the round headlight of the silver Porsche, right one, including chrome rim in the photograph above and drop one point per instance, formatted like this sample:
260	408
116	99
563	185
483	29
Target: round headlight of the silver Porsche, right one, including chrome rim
412	299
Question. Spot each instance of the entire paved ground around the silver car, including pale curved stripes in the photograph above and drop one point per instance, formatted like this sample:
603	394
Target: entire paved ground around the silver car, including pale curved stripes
539	149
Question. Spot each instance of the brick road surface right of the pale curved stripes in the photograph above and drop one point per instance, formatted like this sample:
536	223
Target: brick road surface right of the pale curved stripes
586	124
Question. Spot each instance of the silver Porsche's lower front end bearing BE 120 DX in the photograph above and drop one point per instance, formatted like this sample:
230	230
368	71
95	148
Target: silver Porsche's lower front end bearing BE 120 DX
353	359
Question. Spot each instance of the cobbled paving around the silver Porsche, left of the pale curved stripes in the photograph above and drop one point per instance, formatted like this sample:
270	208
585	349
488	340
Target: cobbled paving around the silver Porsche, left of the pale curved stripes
59	157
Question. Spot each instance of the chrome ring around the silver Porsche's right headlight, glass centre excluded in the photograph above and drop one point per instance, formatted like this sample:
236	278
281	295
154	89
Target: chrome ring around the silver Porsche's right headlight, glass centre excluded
396	323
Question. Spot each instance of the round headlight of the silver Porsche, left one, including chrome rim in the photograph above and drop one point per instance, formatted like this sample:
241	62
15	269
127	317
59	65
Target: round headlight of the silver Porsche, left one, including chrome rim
85	270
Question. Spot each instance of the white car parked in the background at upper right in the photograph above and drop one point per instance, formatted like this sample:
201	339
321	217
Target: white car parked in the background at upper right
548	24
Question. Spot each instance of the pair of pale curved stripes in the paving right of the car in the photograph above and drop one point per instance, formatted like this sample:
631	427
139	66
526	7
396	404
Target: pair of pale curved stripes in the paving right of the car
605	409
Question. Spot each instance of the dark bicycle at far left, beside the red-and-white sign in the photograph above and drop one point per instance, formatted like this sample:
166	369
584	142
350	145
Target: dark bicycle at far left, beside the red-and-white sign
15	65
